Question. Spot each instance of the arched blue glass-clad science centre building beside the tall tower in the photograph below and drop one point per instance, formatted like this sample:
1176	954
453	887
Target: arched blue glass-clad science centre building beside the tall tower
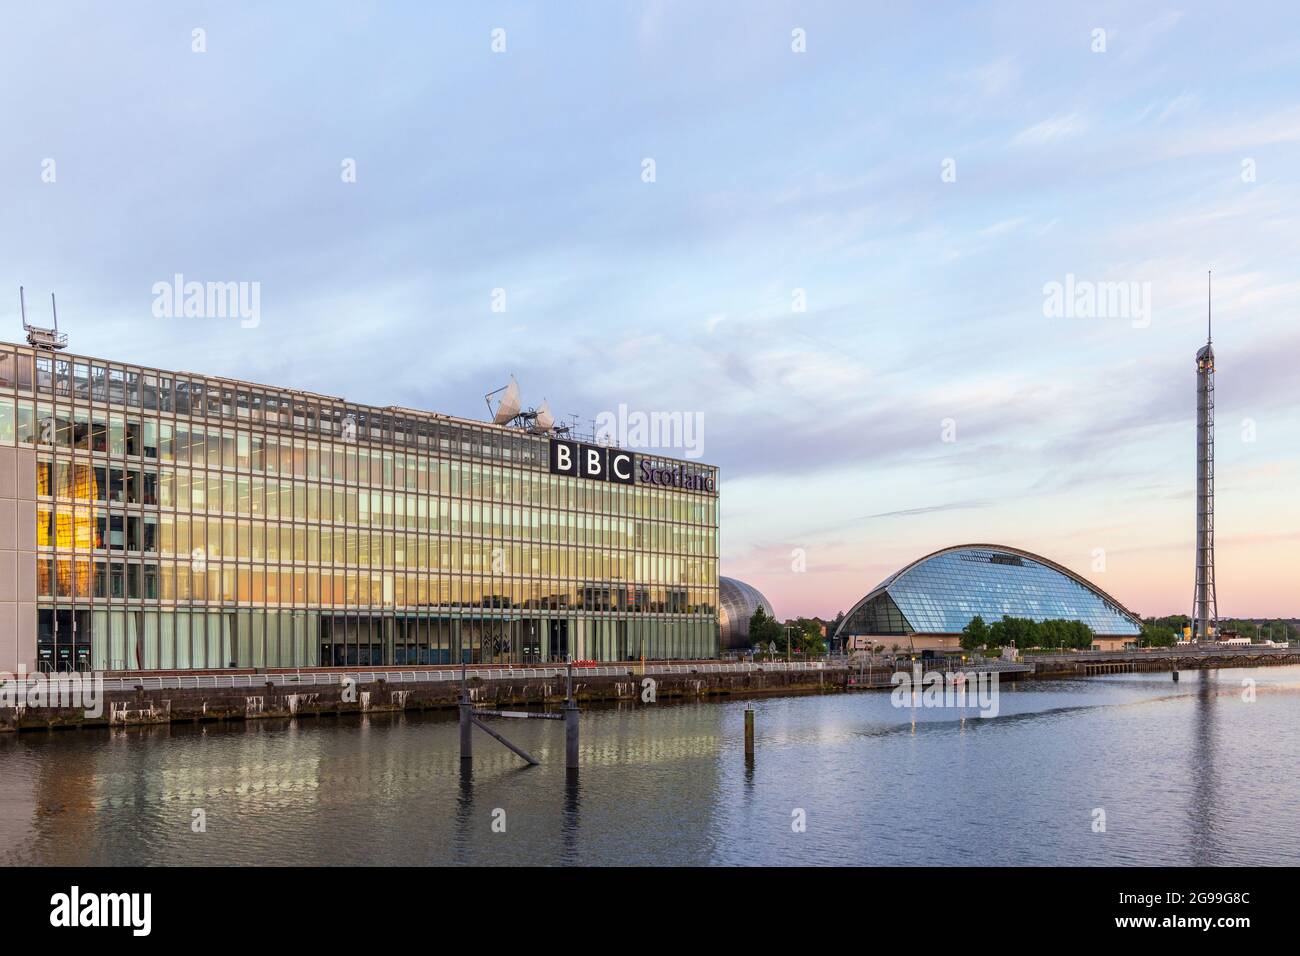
931	600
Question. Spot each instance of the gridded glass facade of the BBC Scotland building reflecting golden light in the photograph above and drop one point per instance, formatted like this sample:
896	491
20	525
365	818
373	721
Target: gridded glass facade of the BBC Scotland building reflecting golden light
193	522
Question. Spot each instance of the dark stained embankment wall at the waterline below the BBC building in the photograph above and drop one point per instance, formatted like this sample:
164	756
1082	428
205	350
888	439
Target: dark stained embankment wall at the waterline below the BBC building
331	695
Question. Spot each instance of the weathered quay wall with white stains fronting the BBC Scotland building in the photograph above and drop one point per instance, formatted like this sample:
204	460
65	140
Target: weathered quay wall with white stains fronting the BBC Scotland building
140	699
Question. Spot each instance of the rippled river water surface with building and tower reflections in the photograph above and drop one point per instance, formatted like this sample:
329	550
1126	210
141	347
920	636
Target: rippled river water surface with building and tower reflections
1188	773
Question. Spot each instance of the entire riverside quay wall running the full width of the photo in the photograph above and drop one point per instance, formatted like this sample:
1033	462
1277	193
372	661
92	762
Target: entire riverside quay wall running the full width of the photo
175	698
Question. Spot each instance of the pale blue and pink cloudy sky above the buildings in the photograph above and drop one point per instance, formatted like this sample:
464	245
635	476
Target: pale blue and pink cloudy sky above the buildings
827	232
